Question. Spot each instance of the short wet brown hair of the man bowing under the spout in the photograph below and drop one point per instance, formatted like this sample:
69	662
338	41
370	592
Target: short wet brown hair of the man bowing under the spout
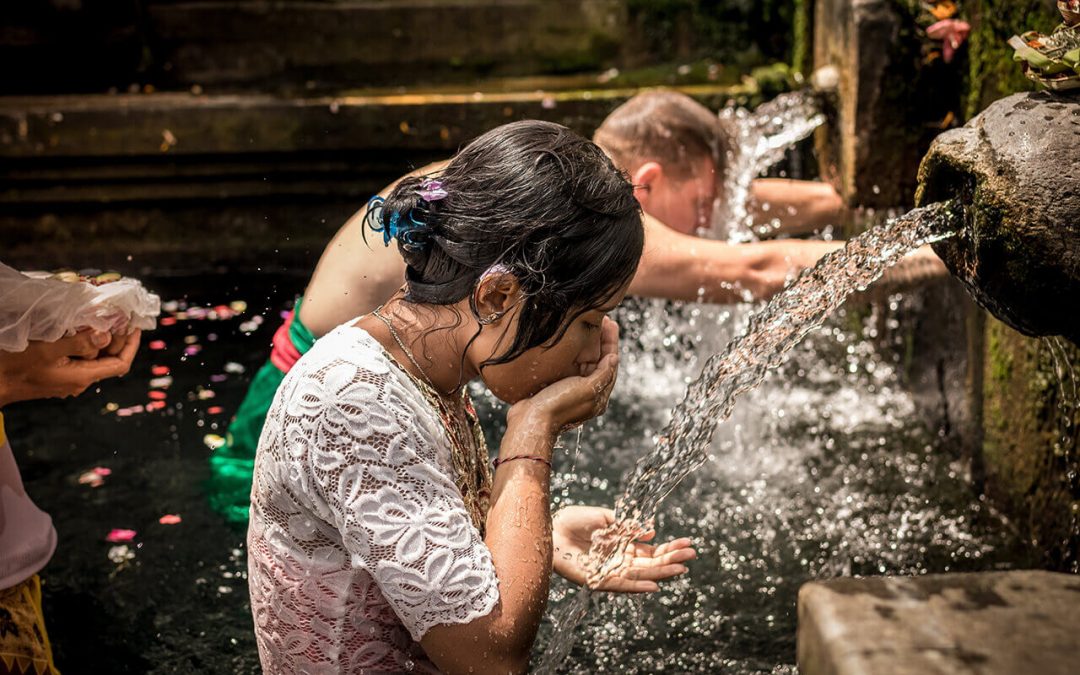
667	128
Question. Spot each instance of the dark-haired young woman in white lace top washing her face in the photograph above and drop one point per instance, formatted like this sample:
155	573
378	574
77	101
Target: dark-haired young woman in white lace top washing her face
381	539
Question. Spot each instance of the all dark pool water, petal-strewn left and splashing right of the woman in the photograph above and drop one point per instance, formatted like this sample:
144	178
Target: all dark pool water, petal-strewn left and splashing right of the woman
828	470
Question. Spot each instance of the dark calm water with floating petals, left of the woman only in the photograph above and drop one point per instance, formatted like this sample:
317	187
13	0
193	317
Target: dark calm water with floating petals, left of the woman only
181	604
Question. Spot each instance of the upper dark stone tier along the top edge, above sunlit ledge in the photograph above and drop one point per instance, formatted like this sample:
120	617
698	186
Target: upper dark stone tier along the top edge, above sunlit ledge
293	45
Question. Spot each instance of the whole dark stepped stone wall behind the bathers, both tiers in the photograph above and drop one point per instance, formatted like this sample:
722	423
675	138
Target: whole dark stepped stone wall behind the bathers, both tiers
185	132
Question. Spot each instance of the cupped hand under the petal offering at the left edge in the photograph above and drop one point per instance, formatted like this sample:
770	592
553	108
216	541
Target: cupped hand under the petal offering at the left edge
66	368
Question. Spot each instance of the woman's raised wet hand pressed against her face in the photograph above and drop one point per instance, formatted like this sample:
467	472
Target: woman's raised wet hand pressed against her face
574	400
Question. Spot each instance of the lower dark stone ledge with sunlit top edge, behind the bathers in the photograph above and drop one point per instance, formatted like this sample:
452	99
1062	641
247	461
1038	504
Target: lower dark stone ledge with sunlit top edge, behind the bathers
231	177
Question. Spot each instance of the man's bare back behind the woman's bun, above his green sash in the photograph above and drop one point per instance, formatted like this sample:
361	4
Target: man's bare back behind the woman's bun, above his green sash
354	276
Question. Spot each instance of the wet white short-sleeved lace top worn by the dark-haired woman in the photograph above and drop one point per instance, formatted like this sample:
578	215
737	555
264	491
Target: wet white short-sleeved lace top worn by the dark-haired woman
359	539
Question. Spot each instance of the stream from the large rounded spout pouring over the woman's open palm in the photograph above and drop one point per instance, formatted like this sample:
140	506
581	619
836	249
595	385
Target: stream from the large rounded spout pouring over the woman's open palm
772	334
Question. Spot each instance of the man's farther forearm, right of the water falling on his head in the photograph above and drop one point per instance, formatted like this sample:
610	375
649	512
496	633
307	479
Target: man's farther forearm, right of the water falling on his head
802	207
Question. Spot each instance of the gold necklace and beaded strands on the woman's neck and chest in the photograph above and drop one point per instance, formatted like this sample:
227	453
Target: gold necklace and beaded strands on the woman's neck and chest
468	447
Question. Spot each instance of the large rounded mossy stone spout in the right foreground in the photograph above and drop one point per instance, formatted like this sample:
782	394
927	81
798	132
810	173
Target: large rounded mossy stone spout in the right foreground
1016	168
